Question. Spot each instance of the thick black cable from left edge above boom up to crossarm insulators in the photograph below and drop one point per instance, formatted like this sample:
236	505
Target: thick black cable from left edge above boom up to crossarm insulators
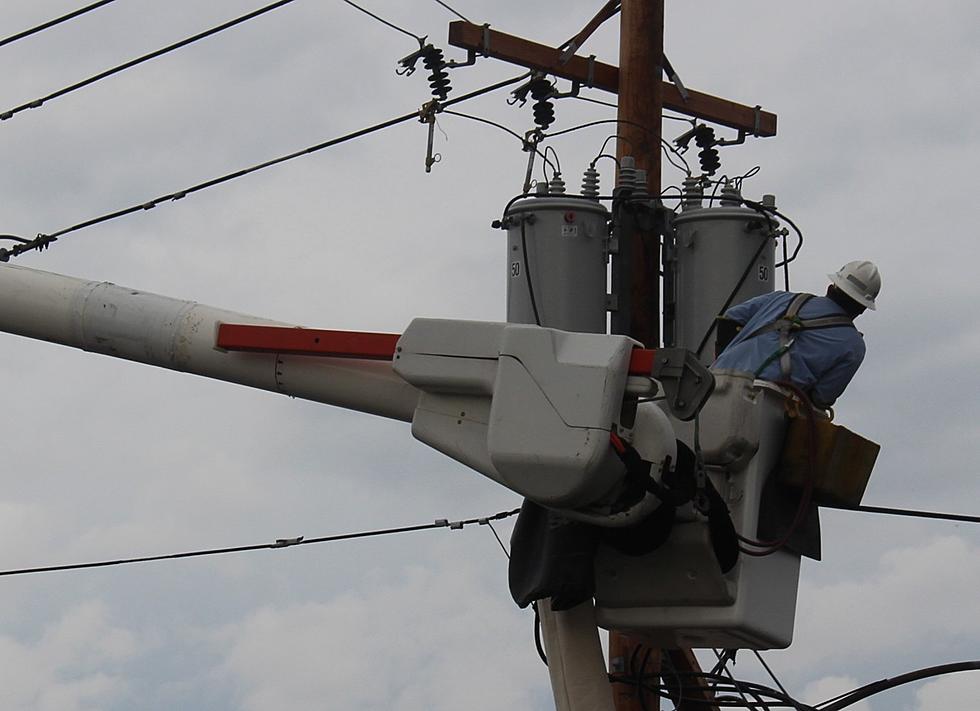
42	241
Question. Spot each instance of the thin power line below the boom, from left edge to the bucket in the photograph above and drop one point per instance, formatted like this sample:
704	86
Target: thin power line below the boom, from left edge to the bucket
280	543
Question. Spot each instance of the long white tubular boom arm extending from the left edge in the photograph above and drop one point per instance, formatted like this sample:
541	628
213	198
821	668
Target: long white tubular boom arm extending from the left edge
180	335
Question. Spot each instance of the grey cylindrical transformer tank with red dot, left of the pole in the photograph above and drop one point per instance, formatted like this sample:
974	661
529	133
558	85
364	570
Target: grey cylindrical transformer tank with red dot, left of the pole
557	249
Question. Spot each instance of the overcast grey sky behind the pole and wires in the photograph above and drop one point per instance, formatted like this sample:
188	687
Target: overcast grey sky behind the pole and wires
878	138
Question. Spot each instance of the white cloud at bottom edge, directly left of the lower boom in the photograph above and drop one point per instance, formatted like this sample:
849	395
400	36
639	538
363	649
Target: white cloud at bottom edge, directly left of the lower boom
412	641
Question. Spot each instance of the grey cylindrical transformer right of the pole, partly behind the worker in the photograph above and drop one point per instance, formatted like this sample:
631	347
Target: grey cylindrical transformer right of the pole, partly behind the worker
720	256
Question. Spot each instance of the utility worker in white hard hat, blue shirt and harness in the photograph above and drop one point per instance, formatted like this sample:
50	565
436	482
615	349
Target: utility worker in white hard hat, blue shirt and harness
808	340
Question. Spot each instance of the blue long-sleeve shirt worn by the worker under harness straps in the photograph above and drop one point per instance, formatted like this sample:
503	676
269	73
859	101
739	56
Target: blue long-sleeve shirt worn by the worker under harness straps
823	360
